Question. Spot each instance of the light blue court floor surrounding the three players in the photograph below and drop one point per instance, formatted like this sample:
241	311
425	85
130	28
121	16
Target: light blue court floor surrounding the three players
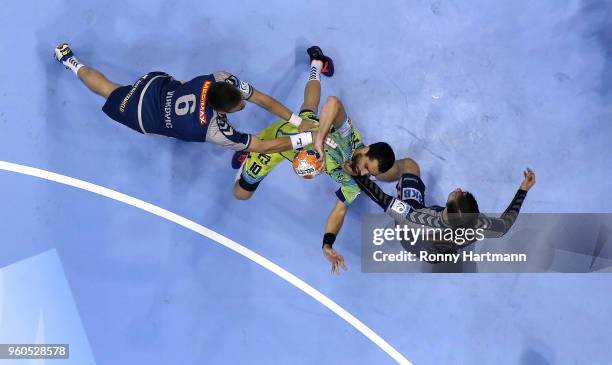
475	91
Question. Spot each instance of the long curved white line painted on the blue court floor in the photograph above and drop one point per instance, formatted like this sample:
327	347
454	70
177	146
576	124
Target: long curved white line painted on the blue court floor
222	240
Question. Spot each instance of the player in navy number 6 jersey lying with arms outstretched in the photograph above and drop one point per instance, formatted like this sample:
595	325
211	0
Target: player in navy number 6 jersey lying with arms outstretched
193	111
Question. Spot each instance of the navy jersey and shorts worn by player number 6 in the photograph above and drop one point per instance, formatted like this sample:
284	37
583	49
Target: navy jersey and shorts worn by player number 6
159	104
